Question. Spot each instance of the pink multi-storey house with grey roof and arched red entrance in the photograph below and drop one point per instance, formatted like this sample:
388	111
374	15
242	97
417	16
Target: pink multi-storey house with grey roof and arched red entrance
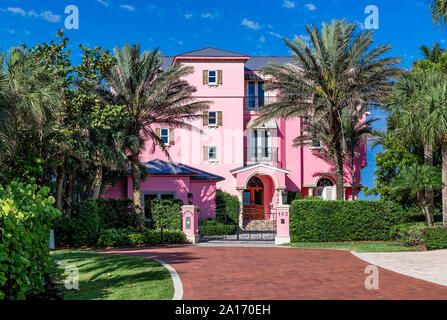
255	162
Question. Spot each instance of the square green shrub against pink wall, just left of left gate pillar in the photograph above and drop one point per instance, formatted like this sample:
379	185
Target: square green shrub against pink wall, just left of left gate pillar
167	214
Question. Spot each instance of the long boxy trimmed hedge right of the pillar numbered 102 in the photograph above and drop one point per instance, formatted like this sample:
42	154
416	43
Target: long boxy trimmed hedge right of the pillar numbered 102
318	221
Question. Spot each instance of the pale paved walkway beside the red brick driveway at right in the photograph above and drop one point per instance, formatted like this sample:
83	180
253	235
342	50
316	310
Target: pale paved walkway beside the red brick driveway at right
426	265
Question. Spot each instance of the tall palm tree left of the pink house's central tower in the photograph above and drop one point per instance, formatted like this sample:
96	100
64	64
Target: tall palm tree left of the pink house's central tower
150	97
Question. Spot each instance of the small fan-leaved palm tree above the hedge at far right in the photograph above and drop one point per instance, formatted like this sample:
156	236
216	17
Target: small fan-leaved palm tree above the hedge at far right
416	179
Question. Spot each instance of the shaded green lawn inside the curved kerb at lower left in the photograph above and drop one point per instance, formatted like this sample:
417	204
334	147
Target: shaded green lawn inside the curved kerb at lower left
112	277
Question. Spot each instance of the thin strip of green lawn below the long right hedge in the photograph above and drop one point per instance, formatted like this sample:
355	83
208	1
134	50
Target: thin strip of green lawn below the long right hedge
359	246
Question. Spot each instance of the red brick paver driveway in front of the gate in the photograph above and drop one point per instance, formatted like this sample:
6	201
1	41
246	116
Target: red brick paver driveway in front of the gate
281	273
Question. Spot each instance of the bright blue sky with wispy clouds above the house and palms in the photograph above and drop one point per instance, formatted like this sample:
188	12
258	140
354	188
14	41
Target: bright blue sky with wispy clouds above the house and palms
249	27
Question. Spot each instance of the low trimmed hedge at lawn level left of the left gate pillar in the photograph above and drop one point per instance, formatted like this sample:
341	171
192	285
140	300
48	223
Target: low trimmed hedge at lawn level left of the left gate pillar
128	237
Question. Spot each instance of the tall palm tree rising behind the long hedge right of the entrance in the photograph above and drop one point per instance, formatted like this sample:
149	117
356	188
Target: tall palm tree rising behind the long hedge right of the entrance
334	71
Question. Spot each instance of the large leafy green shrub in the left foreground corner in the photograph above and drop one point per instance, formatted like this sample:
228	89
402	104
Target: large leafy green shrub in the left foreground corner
25	218
